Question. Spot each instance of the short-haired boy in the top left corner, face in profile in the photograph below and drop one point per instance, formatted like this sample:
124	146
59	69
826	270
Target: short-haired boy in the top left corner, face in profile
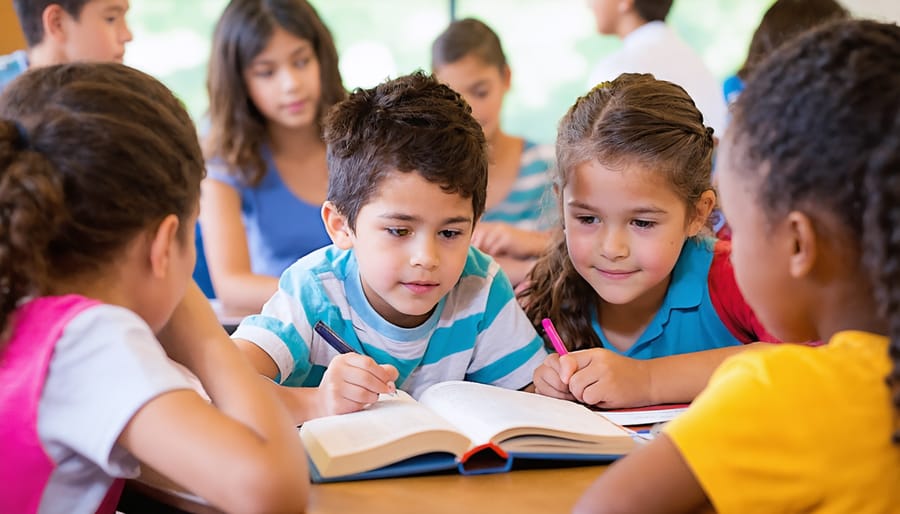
64	31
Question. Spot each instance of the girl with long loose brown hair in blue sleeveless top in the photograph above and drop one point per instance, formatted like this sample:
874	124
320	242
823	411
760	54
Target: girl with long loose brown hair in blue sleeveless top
273	74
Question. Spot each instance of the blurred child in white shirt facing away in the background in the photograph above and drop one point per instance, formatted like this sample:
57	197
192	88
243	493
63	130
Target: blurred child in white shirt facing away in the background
650	46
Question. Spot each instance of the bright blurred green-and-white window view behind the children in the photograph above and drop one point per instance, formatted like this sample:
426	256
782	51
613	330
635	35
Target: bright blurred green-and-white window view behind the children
551	44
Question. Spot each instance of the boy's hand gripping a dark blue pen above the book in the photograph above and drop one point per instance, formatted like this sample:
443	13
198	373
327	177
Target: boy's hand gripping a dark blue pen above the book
352	380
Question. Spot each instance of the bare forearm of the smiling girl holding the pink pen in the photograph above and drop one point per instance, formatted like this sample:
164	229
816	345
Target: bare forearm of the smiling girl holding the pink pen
680	378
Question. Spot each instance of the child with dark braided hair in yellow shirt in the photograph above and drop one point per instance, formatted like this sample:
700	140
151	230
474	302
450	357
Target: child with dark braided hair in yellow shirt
810	182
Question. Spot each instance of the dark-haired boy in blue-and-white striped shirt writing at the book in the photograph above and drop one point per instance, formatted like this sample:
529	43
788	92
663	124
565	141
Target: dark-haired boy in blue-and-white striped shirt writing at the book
401	283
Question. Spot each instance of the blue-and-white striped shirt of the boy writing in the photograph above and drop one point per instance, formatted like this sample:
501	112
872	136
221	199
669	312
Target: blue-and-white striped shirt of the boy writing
478	331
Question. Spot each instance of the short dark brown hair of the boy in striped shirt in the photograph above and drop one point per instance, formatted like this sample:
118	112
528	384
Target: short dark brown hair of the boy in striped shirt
409	124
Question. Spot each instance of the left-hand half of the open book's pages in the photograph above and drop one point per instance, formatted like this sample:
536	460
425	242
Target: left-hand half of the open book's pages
388	431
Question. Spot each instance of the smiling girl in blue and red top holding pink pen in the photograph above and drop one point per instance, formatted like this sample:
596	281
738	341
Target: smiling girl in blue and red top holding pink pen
631	282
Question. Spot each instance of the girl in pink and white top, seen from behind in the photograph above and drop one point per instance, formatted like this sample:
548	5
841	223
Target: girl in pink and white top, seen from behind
100	174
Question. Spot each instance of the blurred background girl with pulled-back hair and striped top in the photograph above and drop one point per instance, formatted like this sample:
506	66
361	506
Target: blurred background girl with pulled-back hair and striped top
468	57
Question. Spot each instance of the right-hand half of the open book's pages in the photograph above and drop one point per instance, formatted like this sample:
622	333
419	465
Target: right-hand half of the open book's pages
488	413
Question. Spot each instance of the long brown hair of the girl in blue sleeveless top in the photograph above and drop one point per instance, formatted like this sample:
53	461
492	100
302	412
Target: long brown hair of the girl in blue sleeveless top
237	128
